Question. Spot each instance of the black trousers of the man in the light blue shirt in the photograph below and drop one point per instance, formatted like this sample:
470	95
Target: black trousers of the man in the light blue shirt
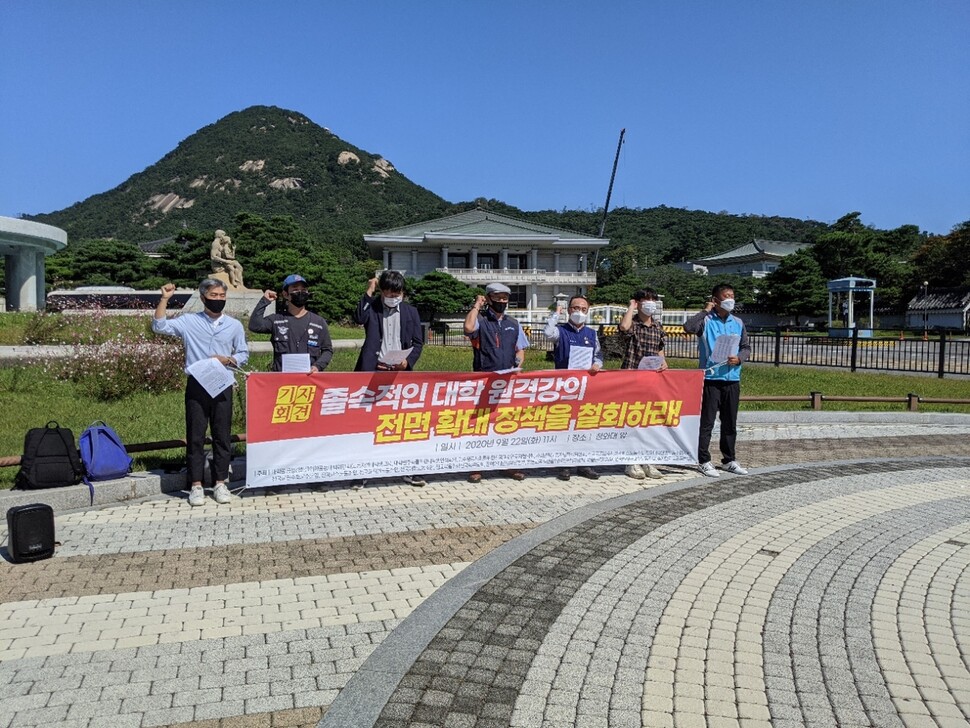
202	411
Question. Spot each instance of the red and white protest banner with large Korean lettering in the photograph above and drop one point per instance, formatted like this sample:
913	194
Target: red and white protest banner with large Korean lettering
308	428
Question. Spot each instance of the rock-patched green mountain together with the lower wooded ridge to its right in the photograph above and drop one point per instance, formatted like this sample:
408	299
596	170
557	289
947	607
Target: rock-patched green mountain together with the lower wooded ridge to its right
269	161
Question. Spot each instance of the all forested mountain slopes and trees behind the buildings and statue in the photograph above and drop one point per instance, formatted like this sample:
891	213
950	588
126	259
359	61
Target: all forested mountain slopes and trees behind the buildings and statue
291	193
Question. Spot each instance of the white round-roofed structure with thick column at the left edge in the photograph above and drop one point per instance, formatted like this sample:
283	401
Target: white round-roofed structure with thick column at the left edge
24	245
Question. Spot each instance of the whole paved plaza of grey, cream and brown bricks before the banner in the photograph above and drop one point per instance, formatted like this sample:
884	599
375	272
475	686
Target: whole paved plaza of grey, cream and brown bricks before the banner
827	588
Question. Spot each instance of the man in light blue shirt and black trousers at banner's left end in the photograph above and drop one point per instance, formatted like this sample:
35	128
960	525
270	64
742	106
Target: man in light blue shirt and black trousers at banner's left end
212	342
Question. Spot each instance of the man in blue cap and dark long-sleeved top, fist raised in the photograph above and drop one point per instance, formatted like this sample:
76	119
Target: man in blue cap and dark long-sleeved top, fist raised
297	331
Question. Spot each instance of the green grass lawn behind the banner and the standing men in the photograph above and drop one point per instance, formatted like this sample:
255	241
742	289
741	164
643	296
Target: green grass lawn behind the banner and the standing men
31	398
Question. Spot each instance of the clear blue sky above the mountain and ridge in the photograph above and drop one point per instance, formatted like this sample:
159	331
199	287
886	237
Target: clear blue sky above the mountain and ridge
792	108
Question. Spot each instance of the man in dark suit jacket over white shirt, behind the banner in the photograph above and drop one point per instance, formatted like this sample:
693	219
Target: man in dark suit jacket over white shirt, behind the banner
389	324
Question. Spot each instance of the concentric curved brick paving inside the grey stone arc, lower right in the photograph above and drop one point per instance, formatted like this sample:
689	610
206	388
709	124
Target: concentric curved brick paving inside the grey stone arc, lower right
752	602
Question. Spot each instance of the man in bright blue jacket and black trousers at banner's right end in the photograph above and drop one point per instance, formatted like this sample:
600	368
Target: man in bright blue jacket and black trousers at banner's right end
723	346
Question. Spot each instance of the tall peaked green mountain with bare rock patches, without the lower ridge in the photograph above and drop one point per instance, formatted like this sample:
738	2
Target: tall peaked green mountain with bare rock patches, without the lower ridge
264	160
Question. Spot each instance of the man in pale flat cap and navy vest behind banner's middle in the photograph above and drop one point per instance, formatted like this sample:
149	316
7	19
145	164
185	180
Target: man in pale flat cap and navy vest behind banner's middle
498	342
